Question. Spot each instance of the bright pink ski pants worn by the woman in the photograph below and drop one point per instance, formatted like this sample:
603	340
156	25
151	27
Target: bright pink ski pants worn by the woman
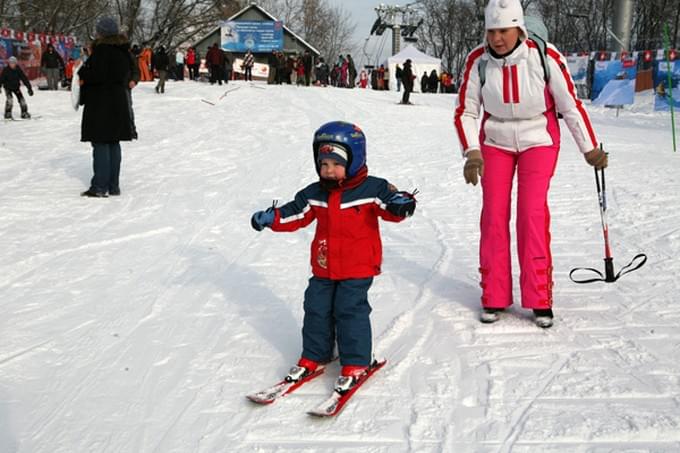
535	167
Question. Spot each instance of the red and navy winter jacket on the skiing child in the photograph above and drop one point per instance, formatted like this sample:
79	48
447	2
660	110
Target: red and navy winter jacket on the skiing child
347	239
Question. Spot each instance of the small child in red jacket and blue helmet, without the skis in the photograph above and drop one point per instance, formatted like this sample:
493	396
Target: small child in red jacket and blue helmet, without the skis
346	252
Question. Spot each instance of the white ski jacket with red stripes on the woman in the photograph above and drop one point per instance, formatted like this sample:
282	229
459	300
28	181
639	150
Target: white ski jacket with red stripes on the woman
519	105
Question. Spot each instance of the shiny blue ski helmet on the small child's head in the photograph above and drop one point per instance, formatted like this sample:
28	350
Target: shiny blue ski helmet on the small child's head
347	135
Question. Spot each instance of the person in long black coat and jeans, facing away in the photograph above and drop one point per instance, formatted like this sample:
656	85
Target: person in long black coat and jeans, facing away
106	78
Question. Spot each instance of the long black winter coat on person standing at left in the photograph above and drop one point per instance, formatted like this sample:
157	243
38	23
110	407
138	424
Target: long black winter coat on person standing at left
106	75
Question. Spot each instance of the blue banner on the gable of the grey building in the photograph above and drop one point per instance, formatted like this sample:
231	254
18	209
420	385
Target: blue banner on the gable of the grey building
253	35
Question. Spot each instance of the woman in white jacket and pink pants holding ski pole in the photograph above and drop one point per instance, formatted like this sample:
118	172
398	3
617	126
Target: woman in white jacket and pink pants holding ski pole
520	133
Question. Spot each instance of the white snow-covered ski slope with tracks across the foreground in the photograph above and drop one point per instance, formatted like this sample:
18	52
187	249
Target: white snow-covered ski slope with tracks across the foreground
138	323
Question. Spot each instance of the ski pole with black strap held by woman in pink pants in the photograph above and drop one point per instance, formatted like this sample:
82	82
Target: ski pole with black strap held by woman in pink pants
609	276
